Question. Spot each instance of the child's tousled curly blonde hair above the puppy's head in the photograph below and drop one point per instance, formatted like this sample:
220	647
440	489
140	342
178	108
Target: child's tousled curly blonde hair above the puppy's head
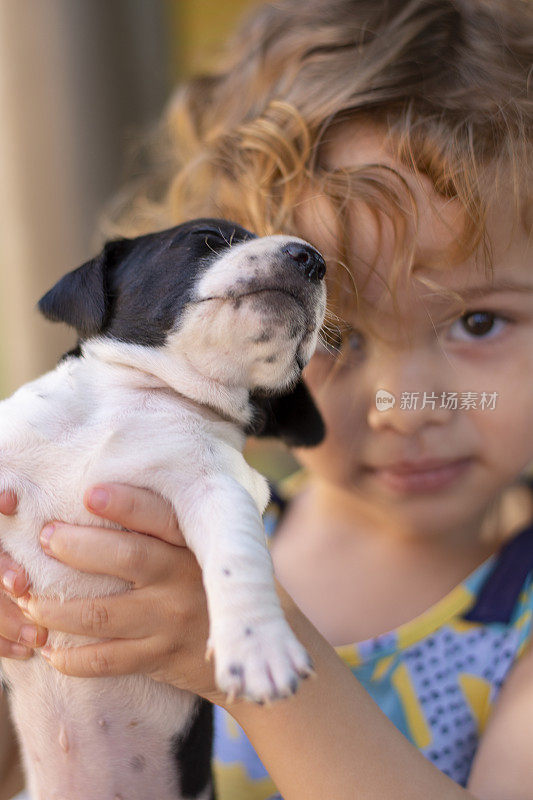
447	80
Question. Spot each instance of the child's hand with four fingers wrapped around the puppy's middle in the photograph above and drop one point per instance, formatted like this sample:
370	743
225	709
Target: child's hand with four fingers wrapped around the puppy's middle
160	626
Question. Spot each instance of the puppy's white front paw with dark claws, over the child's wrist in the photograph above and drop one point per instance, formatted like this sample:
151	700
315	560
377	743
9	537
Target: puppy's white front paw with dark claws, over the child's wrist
261	662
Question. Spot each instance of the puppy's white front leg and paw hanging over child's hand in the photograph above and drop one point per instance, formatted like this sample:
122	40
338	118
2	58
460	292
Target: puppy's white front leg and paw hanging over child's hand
256	653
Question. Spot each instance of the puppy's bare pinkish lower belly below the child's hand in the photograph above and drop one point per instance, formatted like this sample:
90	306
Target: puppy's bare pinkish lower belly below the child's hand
99	739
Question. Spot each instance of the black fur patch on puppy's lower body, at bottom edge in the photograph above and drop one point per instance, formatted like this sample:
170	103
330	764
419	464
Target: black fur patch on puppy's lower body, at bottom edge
192	753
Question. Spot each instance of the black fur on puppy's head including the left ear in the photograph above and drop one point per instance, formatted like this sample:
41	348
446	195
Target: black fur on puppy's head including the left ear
135	289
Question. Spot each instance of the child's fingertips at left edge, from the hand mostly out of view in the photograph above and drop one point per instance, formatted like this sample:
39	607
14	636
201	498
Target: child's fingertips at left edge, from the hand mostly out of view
18	637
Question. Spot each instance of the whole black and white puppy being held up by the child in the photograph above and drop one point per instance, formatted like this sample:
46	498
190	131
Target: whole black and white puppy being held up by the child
189	339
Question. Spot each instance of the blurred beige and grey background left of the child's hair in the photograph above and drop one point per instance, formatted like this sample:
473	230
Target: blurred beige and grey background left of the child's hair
79	81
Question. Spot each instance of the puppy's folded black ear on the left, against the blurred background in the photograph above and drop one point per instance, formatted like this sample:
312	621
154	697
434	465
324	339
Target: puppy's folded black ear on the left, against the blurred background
81	297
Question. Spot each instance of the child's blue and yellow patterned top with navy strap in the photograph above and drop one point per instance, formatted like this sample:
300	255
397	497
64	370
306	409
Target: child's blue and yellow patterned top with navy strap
437	677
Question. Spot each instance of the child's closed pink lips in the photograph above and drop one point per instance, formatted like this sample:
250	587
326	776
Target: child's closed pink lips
422	476
